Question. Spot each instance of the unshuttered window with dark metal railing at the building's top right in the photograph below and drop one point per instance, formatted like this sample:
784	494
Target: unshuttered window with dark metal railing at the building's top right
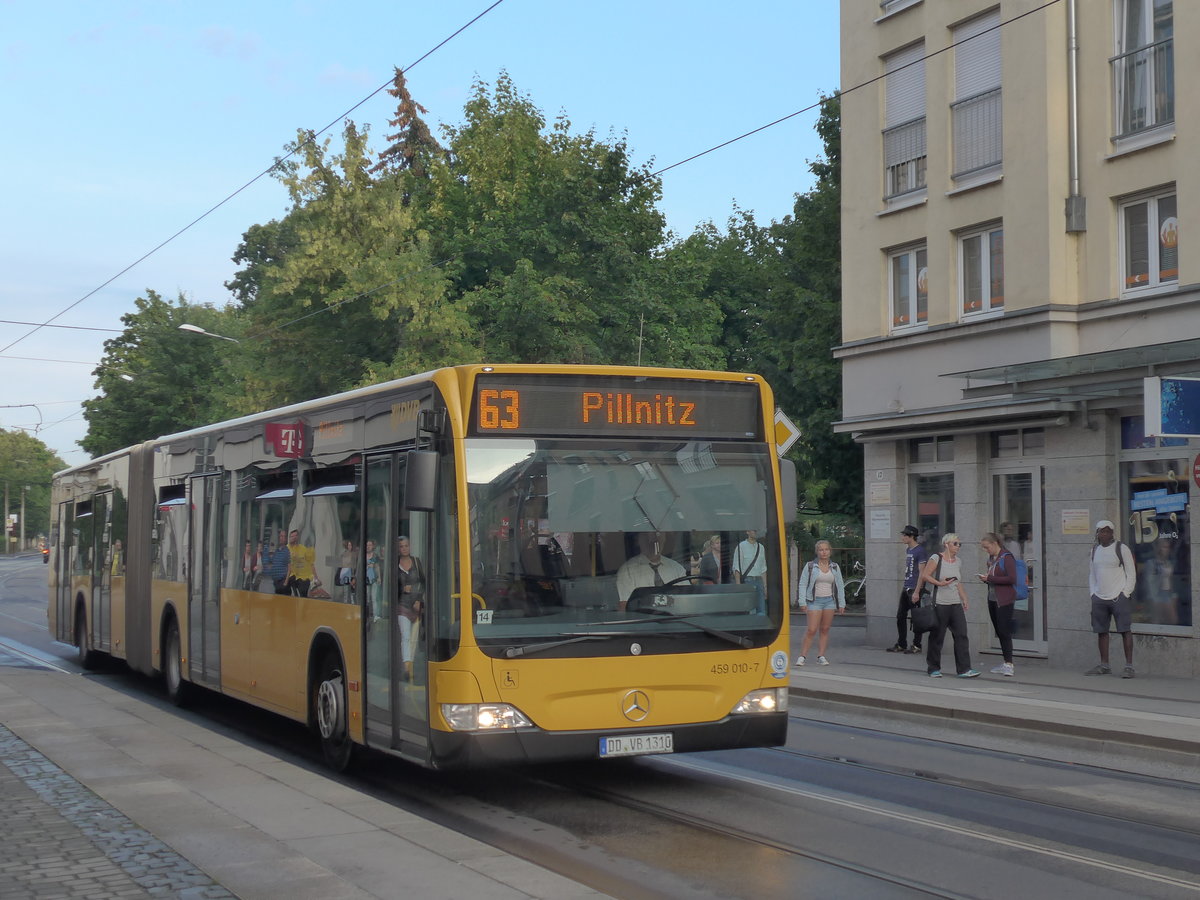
1144	69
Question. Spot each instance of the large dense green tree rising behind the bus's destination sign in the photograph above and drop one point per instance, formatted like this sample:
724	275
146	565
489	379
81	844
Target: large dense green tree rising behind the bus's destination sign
554	242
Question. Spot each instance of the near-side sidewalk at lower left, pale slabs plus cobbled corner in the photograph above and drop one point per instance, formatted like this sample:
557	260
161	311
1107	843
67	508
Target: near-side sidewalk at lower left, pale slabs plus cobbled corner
105	796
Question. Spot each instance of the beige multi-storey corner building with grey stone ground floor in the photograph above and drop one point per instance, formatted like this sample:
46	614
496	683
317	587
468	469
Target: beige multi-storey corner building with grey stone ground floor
1019	183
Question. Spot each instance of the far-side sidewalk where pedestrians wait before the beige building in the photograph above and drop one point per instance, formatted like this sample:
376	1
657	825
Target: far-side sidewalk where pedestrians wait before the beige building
1144	713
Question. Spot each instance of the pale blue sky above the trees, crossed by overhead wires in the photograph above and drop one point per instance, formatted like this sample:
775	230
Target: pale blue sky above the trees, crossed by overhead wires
128	121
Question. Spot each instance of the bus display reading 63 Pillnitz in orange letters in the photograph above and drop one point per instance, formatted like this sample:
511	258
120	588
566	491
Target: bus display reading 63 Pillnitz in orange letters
578	406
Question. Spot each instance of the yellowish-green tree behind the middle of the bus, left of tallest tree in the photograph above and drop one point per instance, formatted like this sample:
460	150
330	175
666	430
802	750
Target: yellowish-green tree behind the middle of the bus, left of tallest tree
343	291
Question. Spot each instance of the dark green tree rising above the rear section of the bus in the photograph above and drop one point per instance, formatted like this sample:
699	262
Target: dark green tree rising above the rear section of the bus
155	380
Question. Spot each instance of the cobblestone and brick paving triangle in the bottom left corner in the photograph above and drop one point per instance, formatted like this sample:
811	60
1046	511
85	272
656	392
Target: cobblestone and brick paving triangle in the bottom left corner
62	841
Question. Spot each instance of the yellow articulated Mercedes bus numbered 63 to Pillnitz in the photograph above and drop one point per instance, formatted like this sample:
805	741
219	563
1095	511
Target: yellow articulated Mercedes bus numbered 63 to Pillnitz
476	567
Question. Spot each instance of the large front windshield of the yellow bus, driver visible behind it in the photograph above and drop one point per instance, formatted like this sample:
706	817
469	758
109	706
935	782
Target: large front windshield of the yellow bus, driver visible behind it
574	542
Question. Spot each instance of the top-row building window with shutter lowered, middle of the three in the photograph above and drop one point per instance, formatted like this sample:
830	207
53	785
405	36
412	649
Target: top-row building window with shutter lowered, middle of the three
976	112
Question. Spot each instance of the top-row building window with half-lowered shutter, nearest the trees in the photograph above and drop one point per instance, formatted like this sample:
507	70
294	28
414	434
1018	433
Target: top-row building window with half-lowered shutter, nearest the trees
904	122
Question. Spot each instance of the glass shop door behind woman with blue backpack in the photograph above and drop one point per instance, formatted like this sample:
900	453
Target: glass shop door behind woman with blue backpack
1018	507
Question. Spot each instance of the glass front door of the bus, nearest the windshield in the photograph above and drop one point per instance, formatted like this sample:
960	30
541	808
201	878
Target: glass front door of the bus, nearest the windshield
394	650
